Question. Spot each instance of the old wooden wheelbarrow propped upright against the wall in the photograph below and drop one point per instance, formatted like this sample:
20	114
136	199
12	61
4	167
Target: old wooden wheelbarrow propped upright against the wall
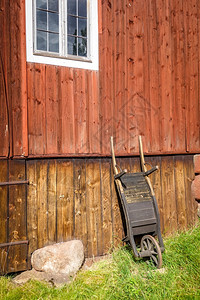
140	210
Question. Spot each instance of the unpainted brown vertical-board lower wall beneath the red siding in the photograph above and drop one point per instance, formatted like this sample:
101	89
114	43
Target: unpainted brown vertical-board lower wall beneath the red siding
76	198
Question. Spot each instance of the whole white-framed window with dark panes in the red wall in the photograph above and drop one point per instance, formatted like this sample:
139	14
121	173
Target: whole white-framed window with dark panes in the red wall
62	32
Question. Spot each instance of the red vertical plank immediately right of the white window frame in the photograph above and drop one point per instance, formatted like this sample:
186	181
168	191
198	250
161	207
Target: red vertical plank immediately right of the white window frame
106	69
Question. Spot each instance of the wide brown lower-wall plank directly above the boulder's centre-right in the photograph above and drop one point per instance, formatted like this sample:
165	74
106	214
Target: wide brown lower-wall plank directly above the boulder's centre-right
65	200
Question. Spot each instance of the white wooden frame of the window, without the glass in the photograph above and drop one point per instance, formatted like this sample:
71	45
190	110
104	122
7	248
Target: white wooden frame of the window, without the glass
91	62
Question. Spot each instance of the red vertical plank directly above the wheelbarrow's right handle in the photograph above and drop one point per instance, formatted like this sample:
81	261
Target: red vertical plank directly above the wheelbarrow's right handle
136	84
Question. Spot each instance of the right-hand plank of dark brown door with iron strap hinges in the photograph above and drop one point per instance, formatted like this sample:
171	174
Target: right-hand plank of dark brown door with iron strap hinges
17	217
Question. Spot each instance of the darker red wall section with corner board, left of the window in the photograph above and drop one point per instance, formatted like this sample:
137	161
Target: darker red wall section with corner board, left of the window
13	79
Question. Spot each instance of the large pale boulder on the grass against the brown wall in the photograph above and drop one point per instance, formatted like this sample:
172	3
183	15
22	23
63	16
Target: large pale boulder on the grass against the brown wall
62	258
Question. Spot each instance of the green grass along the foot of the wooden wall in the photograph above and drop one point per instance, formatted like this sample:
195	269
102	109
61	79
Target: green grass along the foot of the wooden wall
121	277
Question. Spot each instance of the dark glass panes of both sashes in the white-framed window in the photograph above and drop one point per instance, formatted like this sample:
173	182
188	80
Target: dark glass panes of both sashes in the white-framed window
47	26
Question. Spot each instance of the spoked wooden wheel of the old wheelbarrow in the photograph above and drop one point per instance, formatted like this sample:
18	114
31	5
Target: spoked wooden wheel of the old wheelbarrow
149	243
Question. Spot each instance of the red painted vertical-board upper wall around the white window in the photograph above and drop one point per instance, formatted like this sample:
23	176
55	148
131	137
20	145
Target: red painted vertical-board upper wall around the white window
147	83
